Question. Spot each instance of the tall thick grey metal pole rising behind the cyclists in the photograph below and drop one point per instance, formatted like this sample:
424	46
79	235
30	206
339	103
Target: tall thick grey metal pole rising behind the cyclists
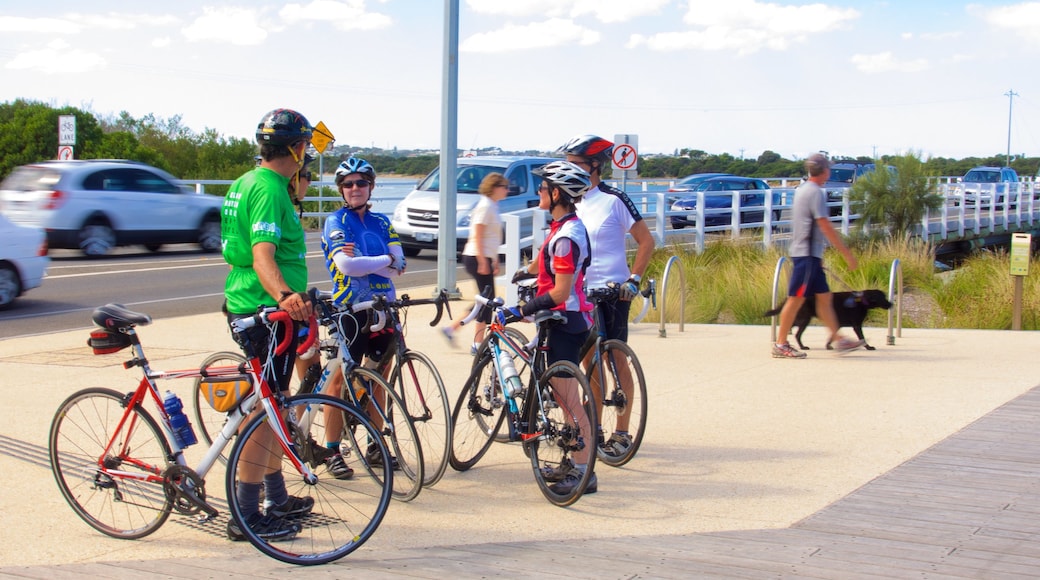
450	128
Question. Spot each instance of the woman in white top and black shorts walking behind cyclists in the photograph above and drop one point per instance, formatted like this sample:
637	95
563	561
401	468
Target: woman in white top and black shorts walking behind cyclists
481	255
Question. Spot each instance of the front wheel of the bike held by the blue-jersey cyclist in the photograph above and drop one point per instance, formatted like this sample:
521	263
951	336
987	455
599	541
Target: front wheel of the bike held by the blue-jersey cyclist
392	419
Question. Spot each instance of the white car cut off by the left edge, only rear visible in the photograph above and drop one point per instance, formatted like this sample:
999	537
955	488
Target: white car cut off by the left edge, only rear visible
23	260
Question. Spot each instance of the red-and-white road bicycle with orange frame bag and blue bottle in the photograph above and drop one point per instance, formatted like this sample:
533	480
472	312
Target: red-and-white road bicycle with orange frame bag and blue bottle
123	470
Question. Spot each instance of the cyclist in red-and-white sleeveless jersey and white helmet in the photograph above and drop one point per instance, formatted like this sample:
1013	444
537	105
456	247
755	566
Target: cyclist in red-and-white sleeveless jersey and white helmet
561	266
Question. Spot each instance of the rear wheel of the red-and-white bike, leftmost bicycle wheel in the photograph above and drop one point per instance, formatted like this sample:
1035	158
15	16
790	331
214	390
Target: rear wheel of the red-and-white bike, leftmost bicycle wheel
120	508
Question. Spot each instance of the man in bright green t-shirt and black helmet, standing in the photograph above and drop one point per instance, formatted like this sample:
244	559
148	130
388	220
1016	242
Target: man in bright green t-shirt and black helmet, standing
264	244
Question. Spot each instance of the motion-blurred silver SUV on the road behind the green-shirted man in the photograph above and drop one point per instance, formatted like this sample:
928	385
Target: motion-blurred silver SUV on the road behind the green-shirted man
96	205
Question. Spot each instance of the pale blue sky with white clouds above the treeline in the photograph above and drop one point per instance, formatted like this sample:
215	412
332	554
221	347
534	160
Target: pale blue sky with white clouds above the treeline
943	78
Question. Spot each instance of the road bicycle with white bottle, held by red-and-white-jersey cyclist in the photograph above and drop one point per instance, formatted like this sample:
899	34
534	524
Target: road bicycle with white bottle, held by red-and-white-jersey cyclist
554	417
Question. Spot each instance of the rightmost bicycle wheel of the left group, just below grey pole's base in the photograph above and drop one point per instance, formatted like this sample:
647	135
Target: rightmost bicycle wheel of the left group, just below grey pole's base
427	401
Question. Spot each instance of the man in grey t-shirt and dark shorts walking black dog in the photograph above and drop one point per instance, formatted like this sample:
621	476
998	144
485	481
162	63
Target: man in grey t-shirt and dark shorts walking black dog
811	225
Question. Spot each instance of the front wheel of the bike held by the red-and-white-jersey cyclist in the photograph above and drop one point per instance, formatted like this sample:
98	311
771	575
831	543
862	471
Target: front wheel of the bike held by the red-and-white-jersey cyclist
478	415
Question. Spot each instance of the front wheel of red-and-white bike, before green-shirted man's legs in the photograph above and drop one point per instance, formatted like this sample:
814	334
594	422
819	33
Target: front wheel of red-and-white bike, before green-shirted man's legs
346	513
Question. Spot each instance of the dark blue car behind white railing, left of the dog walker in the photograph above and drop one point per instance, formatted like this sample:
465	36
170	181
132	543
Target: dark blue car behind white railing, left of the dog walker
719	194
